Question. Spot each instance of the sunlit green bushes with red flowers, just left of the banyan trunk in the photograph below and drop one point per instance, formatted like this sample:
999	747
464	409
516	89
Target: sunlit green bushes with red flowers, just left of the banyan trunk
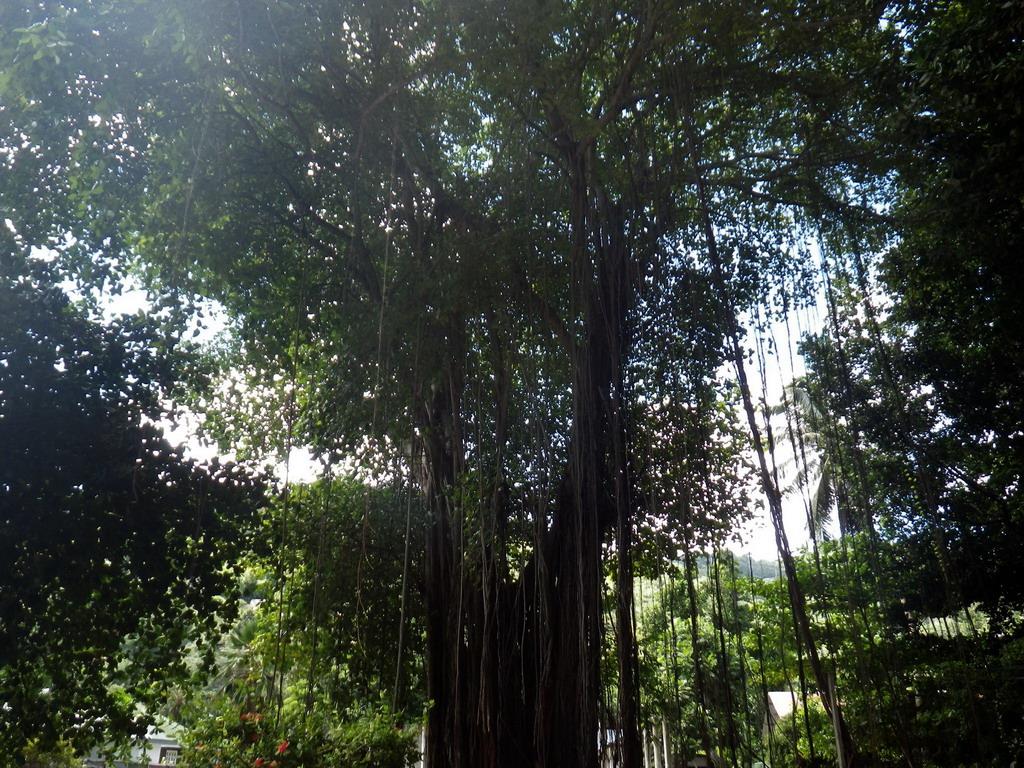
322	658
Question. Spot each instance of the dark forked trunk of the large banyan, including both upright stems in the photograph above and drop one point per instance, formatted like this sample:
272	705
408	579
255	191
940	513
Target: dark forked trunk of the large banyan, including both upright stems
514	667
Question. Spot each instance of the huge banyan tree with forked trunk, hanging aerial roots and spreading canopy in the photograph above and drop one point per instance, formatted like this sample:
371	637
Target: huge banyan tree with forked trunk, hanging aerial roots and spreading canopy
528	254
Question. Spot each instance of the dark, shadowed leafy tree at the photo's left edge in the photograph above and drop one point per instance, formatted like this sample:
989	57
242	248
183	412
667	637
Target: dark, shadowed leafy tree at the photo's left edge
117	551
